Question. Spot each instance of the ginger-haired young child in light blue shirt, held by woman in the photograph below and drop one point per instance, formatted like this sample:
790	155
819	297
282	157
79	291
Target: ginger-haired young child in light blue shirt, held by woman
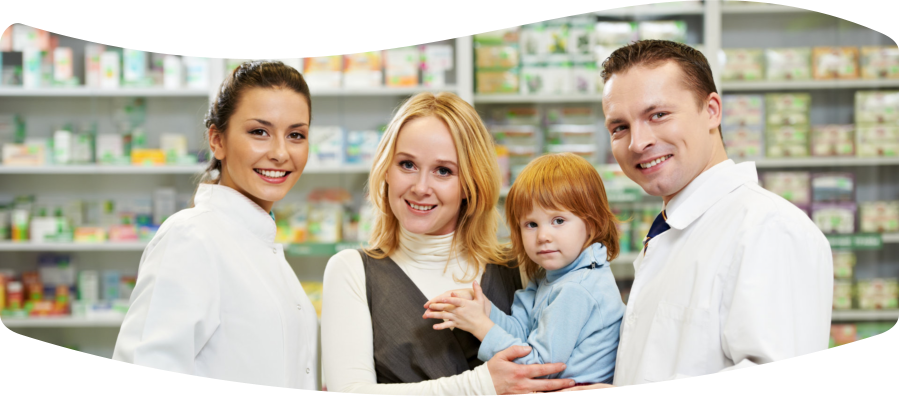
564	234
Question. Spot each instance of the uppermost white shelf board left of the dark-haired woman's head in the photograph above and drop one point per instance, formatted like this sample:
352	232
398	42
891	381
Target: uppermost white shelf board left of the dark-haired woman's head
104	92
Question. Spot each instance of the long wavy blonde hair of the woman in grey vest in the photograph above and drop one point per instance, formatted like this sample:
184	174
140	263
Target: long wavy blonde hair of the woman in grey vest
476	227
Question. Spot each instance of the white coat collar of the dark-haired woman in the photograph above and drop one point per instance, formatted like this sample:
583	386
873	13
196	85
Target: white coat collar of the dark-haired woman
237	208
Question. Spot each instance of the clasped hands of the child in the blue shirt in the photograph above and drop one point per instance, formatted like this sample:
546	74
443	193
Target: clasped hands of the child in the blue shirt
465	314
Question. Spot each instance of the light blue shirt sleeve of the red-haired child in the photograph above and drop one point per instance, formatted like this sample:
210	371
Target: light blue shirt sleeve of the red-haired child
556	335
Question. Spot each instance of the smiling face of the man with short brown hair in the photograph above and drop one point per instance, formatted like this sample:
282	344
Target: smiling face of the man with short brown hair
659	135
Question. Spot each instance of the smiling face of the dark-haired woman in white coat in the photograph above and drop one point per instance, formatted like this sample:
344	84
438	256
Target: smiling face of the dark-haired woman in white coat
265	148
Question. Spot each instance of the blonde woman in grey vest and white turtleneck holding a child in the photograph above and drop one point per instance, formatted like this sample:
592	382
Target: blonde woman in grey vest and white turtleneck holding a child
434	186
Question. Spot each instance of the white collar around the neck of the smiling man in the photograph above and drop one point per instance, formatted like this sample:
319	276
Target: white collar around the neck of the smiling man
707	189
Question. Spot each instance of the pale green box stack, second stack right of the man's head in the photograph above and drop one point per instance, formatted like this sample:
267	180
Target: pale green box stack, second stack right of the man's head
787	130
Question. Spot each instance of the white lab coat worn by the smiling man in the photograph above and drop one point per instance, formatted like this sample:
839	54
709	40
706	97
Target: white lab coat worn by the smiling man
743	277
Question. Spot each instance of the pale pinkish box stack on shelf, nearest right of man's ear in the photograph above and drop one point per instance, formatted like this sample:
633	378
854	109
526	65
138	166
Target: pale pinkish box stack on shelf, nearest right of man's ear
742	125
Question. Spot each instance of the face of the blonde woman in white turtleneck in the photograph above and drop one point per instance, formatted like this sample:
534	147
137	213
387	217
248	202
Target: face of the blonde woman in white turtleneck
424	188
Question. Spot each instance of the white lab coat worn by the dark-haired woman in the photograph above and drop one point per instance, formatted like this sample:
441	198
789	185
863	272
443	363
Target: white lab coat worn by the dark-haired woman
215	298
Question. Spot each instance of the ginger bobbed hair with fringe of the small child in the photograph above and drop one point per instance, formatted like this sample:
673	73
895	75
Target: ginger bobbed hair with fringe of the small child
564	182
